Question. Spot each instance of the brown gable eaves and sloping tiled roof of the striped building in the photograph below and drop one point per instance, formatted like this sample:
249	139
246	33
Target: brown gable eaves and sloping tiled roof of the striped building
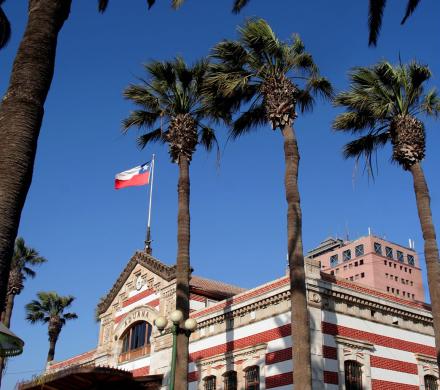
202	286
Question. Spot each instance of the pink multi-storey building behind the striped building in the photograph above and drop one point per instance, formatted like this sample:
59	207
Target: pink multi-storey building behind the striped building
373	262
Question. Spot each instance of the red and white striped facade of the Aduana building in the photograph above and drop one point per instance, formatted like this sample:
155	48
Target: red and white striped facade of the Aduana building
390	337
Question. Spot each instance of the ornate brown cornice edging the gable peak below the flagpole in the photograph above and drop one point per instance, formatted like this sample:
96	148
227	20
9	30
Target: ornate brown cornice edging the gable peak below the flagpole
145	260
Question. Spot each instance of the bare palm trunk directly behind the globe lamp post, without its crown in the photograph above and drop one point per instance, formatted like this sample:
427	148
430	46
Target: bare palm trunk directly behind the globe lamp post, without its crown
183	271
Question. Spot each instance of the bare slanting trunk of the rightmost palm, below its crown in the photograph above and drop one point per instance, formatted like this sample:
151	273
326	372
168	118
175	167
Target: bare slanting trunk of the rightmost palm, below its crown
430	248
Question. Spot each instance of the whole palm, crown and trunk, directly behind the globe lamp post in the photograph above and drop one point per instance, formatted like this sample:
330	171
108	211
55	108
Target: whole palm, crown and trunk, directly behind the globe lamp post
171	111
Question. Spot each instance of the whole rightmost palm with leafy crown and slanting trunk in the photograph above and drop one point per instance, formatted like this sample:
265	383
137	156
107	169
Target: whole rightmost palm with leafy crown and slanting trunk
383	103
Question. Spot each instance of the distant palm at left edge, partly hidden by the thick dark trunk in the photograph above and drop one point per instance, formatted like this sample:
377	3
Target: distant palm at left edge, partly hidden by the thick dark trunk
22	260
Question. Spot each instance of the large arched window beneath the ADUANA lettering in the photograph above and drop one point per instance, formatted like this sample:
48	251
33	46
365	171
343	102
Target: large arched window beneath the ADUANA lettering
136	341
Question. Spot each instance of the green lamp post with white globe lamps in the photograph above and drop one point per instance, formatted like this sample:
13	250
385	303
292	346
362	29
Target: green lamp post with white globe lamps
189	326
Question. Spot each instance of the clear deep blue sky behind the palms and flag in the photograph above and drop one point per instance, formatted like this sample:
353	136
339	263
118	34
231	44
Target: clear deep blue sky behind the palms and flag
88	231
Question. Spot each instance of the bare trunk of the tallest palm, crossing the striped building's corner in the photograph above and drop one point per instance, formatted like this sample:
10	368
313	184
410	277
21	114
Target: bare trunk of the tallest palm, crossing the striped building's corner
301	359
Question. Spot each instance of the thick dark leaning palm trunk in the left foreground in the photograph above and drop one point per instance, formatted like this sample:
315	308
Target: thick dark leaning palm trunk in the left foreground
21	114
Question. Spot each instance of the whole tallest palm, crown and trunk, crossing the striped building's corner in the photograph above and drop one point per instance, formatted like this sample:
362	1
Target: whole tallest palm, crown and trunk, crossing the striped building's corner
270	78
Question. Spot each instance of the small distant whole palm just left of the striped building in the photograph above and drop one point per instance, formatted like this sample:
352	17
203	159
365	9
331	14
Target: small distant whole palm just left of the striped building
49	309
